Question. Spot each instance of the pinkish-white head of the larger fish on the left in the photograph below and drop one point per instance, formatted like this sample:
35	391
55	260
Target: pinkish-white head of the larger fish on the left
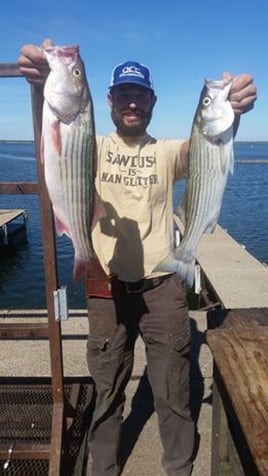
66	90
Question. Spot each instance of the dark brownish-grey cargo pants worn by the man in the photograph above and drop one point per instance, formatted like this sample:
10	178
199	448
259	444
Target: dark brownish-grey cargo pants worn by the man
161	317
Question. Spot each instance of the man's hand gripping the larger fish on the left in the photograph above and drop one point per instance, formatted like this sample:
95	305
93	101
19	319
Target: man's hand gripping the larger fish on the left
33	64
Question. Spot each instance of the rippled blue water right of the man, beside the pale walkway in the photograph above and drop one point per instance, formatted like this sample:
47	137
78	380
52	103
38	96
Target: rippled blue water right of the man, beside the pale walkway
244	212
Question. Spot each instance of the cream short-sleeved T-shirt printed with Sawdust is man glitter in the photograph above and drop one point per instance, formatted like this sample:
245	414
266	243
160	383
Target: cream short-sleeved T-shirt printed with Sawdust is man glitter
135	182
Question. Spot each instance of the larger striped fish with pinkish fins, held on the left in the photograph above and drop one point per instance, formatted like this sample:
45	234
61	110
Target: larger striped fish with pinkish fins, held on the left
69	153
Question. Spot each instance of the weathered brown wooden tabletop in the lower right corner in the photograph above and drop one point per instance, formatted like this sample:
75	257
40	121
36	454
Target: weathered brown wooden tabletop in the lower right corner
242	360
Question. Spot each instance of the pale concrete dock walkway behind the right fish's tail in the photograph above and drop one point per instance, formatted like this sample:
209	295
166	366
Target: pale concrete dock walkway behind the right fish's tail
238	279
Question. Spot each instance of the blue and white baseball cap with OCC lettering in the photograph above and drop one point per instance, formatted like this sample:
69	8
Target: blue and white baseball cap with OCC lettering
131	72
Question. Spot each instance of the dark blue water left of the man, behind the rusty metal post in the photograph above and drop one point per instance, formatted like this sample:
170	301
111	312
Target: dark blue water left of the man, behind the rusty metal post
21	268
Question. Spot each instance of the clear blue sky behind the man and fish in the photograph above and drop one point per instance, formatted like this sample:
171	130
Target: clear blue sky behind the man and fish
182	41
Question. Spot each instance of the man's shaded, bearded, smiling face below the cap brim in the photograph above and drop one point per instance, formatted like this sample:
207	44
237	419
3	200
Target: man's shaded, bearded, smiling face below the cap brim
131	109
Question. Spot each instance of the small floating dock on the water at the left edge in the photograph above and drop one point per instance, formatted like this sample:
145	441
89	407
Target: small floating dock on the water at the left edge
12	226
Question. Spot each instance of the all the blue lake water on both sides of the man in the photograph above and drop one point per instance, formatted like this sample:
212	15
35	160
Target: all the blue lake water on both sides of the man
244	214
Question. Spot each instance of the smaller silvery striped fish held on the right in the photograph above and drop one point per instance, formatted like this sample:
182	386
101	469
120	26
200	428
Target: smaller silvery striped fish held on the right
211	160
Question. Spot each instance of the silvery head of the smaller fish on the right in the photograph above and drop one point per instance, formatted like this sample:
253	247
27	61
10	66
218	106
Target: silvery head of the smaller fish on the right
215	114
